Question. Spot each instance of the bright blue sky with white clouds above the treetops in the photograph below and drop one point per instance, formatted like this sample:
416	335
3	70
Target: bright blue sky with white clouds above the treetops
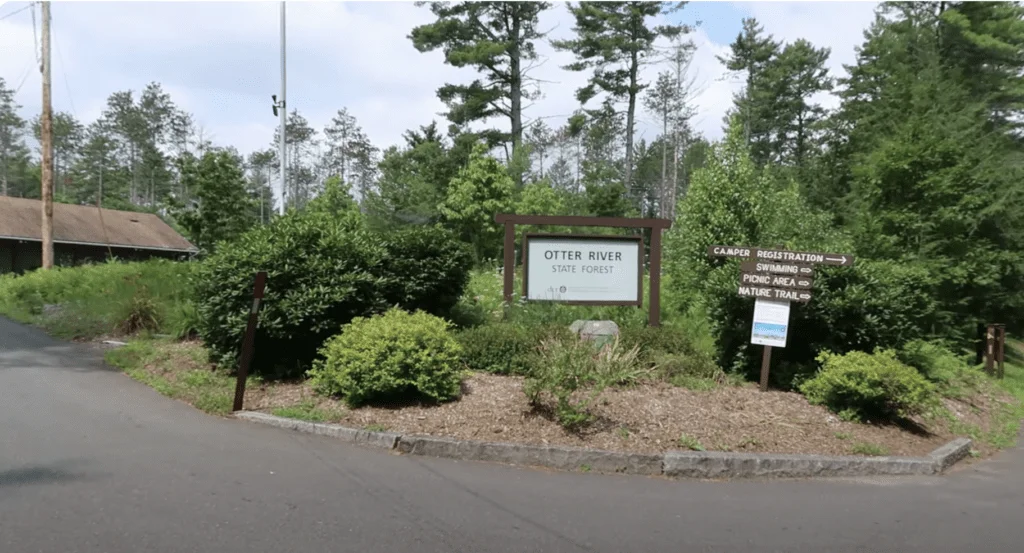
221	61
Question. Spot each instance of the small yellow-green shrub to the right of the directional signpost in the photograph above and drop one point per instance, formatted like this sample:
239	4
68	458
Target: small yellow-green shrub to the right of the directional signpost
869	387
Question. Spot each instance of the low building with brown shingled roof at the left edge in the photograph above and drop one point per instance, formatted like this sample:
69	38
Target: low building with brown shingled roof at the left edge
83	234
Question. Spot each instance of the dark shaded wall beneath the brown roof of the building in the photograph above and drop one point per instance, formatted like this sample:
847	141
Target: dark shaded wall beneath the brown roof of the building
24	257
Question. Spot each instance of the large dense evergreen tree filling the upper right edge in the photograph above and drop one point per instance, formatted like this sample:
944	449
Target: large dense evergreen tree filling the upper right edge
934	172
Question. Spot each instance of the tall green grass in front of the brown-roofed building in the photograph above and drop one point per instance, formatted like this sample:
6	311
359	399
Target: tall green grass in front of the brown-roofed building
94	301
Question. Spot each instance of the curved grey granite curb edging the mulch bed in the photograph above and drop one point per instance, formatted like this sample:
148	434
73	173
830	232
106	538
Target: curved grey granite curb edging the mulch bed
705	465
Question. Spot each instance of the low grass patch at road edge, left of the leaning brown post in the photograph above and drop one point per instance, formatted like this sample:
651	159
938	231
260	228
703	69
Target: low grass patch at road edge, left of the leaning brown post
178	370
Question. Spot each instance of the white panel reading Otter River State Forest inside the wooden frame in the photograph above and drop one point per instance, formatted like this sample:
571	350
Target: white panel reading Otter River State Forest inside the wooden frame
589	269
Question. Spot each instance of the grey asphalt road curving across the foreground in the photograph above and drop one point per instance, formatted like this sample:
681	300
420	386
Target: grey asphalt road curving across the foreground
92	461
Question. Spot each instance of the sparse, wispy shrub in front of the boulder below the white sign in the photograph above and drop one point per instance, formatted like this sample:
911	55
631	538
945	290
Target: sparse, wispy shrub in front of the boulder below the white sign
572	374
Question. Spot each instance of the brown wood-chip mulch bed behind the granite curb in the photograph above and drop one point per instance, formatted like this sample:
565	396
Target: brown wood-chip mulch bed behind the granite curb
650	418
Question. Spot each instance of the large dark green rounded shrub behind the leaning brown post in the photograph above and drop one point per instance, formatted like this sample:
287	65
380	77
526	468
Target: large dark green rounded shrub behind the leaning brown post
323	272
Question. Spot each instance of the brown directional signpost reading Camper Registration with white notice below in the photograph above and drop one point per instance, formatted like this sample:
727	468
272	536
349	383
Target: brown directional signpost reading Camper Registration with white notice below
776	278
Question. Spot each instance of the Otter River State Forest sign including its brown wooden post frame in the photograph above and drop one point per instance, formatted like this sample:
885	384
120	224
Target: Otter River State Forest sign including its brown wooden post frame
585	270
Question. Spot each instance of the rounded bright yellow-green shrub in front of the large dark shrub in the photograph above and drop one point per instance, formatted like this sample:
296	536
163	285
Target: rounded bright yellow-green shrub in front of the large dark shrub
391	358
